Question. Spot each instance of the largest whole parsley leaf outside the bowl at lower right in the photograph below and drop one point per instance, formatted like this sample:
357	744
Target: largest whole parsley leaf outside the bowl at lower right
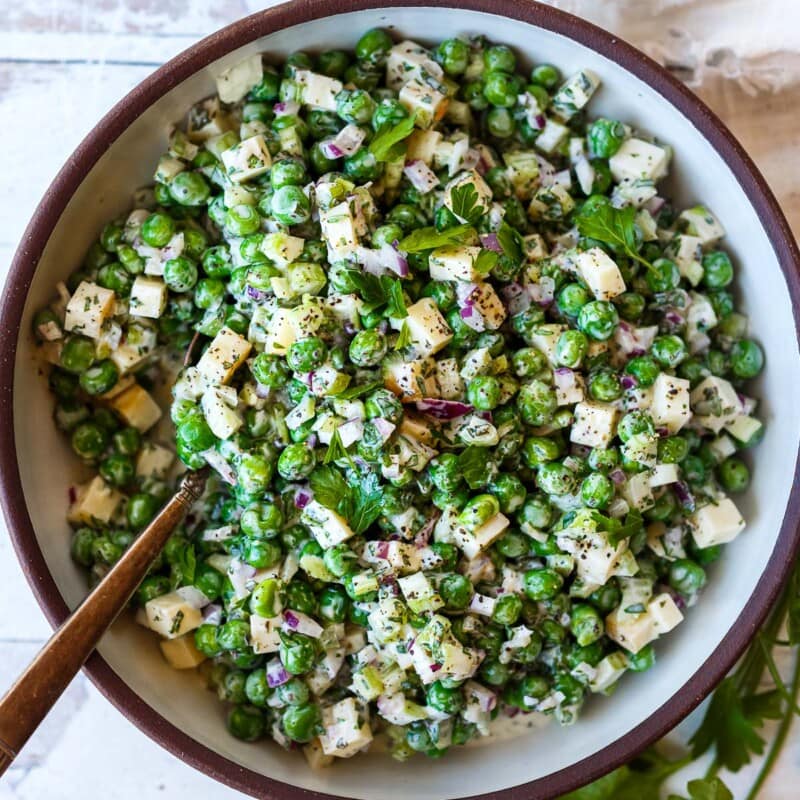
726	725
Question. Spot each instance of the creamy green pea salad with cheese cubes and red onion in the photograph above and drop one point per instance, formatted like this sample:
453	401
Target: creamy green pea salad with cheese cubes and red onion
472	391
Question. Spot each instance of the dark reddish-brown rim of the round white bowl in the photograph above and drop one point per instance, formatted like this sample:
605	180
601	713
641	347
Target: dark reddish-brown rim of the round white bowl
120	117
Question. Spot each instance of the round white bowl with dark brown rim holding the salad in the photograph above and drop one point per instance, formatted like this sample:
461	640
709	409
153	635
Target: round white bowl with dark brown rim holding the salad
173	707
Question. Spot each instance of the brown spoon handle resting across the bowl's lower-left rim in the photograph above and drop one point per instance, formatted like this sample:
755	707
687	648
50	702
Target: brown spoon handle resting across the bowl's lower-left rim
27	702
